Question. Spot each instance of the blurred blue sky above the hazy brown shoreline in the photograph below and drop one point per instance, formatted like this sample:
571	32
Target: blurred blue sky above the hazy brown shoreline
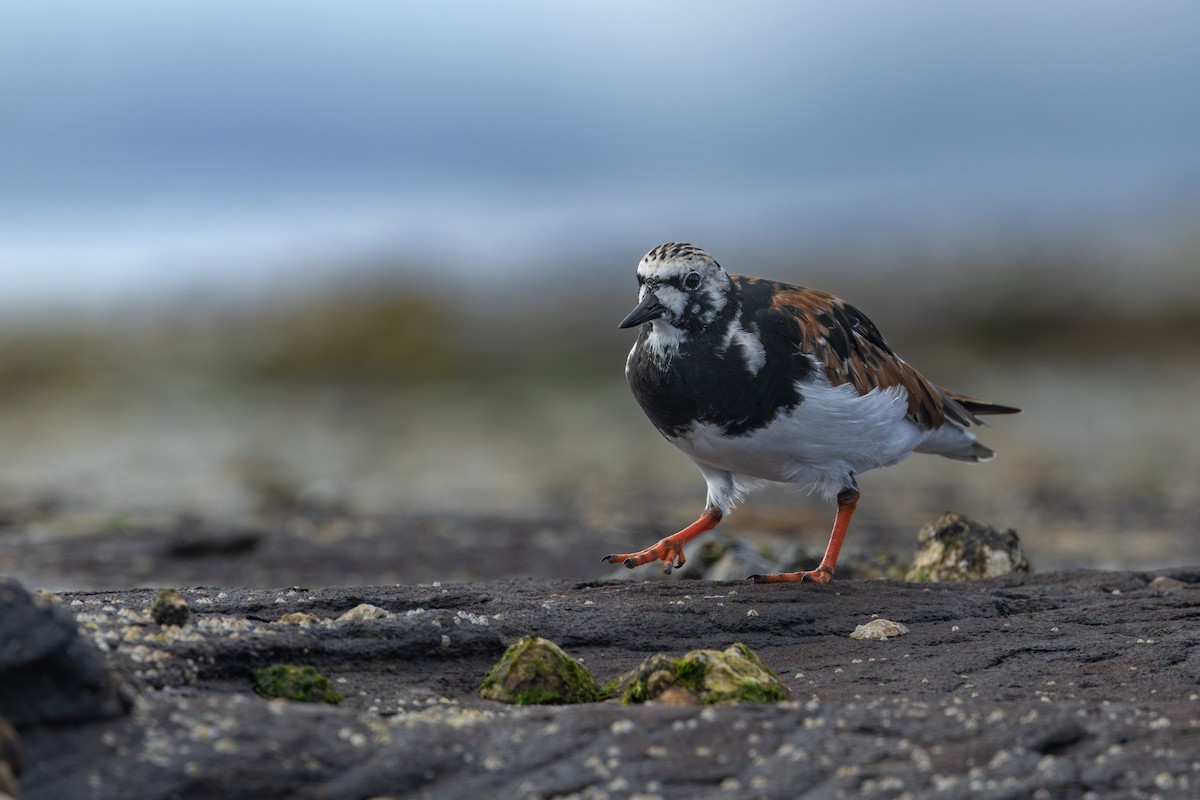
157	149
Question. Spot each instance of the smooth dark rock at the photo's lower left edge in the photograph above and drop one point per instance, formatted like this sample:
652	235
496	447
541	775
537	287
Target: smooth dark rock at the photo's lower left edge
49	673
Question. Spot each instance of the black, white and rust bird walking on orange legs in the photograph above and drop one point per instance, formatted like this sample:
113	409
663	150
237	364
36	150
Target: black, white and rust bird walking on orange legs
761	382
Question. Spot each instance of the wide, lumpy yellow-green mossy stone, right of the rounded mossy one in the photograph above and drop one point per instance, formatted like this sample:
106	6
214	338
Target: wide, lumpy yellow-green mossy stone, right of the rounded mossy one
730	676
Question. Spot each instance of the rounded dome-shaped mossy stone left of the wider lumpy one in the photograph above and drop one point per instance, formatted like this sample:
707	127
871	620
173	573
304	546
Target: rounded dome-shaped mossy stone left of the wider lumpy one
537	672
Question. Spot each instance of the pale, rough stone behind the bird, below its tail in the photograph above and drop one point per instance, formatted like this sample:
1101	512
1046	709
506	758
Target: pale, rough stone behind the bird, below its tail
959	549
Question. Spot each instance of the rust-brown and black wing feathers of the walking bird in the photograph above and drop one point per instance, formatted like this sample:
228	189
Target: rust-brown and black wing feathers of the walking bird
854	352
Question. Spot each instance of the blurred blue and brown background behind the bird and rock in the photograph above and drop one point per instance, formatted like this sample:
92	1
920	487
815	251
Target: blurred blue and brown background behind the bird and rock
327	293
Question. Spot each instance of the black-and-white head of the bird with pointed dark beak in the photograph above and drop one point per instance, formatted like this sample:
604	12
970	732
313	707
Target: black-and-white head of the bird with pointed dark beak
680	286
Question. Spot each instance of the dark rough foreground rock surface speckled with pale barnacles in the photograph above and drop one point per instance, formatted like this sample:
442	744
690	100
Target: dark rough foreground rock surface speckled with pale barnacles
1058	685
